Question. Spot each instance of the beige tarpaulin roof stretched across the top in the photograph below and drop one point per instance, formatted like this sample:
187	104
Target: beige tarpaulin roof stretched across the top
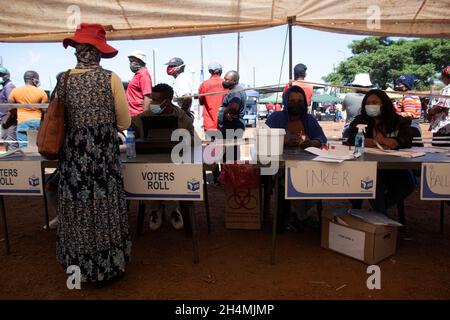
52	20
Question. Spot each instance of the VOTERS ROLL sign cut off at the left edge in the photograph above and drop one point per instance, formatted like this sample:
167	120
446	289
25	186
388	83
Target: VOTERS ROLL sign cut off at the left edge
20	178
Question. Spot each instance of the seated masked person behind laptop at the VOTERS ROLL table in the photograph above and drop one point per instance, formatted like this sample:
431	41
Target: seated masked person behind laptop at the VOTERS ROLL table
161	104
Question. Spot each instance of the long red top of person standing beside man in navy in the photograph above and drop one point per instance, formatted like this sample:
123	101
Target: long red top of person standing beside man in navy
211	103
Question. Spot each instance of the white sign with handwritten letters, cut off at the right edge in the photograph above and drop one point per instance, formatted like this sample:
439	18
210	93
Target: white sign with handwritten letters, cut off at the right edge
435	181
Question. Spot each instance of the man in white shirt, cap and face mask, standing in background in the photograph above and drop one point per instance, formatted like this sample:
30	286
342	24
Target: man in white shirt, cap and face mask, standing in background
182	86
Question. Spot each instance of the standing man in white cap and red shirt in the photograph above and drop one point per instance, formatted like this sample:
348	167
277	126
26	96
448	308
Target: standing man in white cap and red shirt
140	87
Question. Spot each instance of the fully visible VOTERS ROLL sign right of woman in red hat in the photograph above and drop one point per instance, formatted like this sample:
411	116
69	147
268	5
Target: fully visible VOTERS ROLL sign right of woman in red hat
163	181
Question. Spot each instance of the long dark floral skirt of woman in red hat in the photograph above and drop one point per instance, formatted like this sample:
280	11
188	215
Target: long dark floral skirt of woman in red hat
93	231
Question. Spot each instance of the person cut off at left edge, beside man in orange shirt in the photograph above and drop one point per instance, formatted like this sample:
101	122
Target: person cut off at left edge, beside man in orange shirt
8	128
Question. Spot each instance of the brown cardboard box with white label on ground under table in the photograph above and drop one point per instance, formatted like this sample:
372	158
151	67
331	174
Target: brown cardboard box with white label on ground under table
352	236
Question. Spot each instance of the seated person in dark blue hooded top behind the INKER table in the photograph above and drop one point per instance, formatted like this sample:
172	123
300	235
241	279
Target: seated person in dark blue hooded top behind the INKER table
302	131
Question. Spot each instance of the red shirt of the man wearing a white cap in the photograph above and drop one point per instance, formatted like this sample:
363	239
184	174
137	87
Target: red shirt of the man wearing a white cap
139	86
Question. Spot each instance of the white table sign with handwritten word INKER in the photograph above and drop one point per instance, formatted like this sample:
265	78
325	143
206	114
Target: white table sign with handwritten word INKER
321	180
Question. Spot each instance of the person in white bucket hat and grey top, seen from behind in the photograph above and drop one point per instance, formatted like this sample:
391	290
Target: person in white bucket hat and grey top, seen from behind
352	101
